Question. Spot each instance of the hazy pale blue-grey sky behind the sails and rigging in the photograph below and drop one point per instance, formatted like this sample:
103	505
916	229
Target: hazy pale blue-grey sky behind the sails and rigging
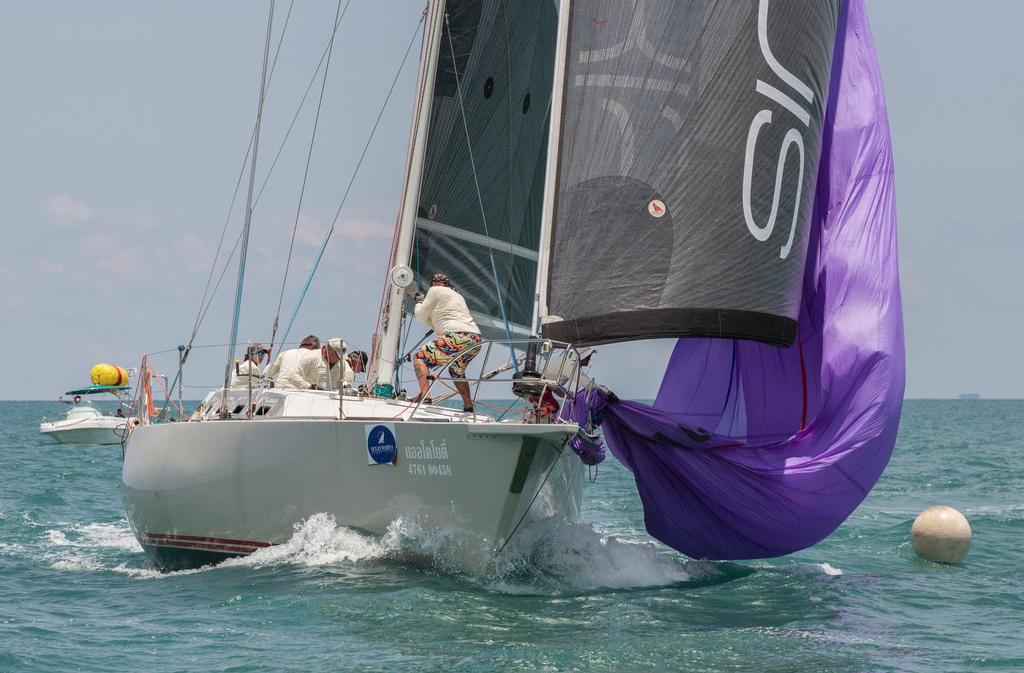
124	128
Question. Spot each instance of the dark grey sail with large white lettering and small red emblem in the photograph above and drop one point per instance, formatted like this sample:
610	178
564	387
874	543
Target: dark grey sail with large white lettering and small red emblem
690	140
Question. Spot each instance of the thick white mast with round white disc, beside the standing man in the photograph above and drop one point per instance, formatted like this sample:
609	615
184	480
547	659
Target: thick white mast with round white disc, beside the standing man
387	354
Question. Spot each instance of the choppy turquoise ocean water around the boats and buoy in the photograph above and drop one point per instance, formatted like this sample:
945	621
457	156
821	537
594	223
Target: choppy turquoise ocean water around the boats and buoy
77	594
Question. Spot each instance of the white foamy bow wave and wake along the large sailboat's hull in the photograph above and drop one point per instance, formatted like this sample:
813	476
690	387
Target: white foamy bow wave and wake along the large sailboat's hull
551	558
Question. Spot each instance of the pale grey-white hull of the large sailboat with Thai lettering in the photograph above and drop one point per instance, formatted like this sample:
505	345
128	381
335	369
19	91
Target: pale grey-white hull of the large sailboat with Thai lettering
199	492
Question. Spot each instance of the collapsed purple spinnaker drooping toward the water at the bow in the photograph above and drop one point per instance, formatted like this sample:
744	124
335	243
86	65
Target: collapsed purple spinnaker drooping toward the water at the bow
796	438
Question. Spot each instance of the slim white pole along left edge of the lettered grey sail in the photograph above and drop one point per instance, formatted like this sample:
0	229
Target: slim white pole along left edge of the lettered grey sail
551	175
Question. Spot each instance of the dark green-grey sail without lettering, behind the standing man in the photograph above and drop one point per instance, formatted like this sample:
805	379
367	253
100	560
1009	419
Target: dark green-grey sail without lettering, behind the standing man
504	60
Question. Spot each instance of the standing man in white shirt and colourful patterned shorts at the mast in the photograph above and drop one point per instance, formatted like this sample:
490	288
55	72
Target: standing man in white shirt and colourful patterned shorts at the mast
458	338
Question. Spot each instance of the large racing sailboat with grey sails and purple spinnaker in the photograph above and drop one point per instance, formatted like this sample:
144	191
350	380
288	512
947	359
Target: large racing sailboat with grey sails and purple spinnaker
589	173
